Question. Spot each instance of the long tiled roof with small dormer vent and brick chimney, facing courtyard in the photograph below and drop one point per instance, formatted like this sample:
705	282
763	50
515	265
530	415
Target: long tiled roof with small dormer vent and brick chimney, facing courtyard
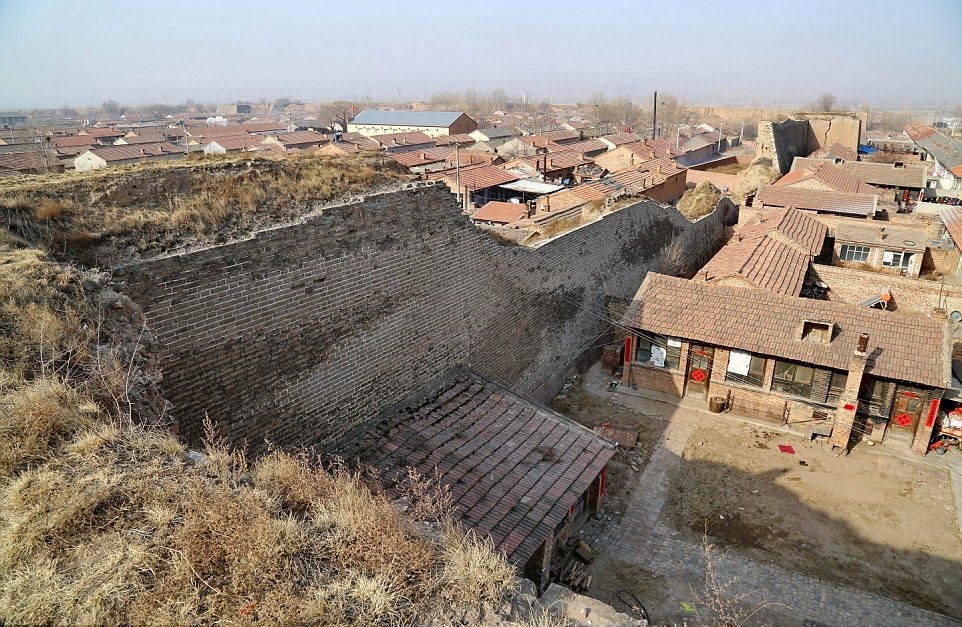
903	348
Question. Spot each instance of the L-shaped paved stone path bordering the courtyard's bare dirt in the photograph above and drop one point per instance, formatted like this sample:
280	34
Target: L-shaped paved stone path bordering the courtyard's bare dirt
641	539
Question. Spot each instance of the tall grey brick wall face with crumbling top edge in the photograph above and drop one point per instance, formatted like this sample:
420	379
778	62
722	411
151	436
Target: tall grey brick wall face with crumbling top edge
302	332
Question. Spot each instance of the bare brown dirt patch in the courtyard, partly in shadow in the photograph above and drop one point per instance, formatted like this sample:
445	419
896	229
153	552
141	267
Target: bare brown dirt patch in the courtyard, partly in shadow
871	520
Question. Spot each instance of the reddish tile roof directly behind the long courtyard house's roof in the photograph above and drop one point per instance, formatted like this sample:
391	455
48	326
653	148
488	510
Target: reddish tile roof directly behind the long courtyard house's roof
762	261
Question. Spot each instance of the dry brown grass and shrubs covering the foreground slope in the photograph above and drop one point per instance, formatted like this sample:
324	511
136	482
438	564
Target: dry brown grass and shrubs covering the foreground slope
103	521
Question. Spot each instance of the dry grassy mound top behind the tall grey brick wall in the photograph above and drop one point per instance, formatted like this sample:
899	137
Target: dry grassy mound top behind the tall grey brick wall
92	217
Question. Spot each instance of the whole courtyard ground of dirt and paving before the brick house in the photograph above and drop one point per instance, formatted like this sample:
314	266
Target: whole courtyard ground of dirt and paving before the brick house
794	530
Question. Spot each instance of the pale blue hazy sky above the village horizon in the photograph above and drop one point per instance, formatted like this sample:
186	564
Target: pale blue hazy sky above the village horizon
80	53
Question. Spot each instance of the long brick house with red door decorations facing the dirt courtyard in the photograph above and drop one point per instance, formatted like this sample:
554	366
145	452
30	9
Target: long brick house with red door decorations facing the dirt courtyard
844	369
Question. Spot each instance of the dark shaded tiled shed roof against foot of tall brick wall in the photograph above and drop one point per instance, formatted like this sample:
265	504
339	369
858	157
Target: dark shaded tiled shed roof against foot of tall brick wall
514	467
